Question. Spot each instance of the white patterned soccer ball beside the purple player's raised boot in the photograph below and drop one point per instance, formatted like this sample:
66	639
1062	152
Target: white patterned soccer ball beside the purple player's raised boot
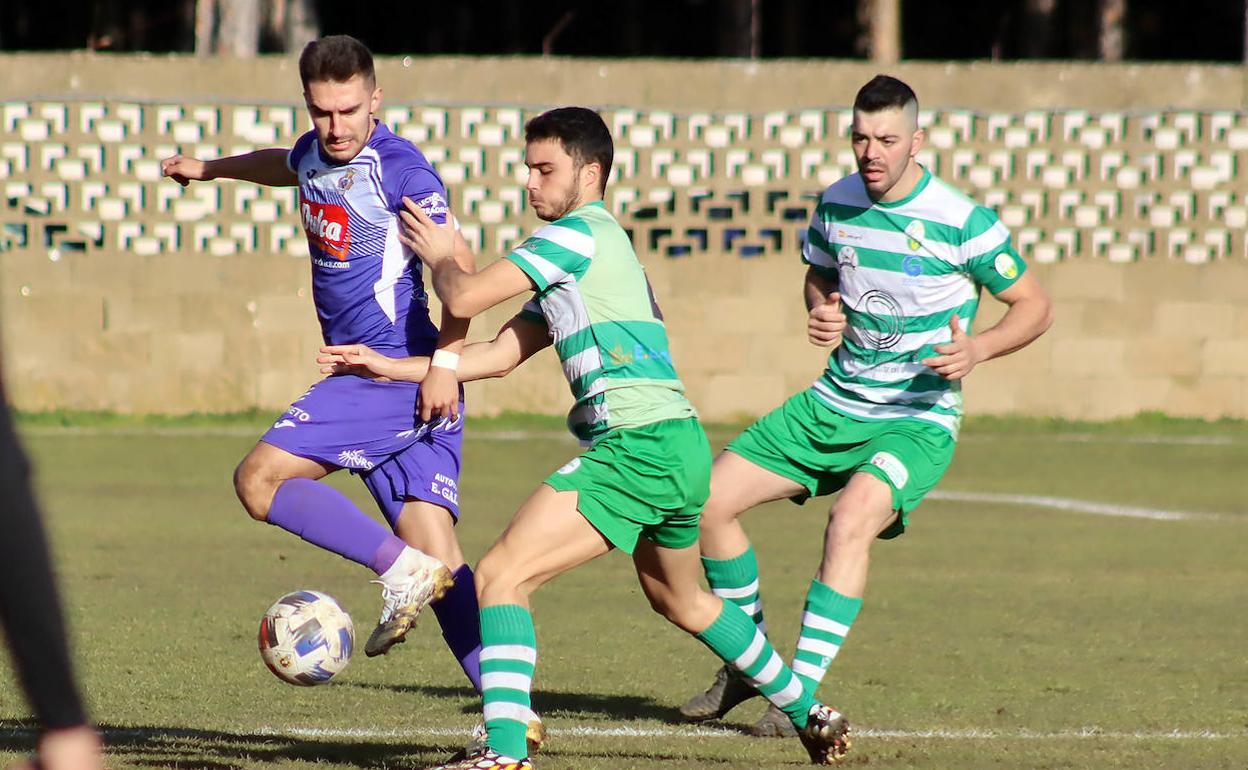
306	638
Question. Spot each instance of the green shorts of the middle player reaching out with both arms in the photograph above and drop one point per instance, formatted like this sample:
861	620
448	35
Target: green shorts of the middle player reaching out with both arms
650	482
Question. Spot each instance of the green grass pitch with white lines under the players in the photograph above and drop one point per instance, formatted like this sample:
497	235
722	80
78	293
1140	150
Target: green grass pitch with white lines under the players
997	635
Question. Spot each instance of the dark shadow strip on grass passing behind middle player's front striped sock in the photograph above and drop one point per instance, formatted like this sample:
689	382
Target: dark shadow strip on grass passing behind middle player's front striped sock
587	706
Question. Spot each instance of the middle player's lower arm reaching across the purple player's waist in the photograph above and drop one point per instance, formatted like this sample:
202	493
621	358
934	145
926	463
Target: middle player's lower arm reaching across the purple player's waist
516	343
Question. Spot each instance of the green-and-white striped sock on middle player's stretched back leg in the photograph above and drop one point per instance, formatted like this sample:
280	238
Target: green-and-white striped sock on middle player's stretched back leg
736	638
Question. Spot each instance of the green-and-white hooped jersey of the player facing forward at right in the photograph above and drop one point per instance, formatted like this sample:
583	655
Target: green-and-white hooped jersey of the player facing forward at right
904	270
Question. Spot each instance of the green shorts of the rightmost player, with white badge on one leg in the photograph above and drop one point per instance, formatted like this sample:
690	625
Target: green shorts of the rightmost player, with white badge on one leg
807	441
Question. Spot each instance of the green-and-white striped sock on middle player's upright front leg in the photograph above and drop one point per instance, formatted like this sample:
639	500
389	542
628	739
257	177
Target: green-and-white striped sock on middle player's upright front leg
509	656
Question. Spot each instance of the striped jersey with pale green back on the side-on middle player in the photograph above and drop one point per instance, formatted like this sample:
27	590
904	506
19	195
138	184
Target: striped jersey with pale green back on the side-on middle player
607	329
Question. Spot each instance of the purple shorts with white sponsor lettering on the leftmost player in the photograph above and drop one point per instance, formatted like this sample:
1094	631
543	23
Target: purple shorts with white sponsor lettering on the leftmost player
373	429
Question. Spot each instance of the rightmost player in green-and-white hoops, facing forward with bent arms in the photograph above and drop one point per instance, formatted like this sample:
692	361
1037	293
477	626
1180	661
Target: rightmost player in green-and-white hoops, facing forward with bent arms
897	261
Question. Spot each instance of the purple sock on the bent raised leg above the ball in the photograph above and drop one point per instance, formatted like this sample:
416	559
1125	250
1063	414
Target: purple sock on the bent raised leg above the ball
325	517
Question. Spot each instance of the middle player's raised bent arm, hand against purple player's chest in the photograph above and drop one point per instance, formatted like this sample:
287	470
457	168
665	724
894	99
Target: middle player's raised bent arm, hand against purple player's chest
464	294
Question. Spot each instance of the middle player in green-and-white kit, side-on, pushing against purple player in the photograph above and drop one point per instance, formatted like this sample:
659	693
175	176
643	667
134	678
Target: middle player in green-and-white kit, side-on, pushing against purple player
646	477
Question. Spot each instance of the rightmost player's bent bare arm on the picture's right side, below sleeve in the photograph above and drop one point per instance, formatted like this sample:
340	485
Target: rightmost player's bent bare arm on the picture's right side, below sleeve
1030	315
